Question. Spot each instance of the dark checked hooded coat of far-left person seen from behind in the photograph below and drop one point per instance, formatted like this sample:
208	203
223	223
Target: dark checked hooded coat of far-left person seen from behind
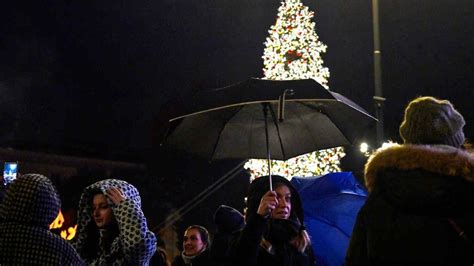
31	204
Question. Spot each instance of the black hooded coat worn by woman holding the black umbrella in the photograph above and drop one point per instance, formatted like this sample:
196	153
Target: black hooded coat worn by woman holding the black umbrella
265	241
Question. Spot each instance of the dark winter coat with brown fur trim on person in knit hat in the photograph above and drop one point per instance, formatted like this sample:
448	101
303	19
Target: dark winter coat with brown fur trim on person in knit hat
414	190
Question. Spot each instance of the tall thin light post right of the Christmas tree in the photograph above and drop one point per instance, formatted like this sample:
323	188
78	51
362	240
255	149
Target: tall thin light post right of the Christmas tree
378	96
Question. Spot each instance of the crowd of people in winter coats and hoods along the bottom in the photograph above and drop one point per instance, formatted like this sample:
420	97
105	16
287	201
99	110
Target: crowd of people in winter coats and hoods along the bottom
419	211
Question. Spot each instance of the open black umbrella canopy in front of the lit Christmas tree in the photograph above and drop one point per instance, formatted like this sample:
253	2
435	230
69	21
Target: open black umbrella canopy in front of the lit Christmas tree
294	116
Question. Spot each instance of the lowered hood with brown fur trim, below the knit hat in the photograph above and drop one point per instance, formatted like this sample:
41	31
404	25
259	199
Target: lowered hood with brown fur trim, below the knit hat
427	178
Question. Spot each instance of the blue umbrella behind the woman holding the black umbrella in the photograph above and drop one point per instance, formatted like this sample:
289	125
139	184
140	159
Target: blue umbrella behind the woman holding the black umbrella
331	203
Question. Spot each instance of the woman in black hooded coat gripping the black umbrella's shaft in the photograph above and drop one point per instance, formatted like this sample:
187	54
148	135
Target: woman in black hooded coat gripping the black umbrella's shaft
274	233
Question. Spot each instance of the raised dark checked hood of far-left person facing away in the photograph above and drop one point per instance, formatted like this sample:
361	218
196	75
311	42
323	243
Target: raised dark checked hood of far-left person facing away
31	199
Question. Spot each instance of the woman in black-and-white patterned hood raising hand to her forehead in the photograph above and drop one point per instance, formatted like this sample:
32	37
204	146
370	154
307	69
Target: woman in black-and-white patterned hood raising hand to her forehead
111	226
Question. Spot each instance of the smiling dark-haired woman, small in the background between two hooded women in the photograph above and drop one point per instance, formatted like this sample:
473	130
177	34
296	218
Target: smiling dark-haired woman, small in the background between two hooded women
196	244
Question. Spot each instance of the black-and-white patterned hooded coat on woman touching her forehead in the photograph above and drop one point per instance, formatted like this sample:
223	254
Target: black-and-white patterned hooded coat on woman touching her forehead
132	244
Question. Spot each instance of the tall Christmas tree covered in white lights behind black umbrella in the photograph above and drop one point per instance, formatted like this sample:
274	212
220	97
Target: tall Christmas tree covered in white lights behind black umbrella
293	51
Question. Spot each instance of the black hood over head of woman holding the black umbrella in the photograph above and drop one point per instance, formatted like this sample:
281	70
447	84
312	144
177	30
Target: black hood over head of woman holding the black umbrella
261	185
